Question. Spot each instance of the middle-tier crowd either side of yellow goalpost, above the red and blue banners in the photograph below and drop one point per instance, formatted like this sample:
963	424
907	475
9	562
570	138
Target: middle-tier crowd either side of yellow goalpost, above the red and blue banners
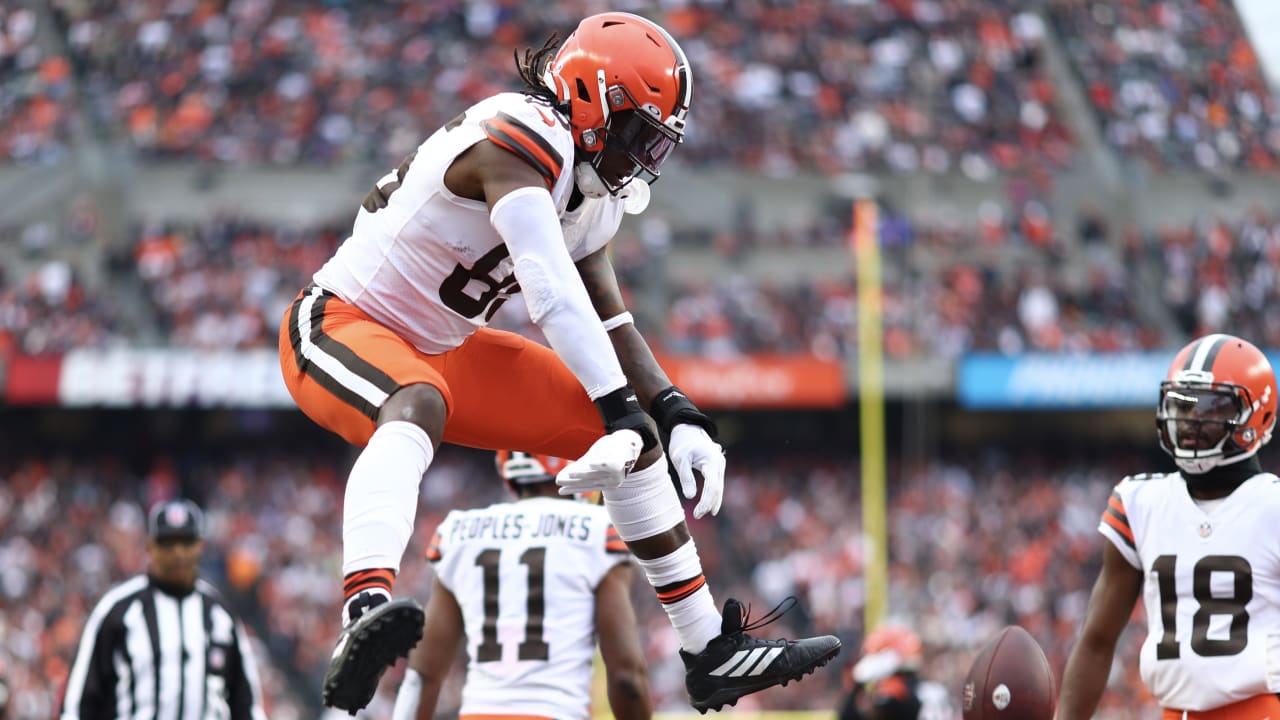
947	291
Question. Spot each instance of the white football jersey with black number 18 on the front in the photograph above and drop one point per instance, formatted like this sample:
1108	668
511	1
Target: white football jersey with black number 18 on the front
1212	591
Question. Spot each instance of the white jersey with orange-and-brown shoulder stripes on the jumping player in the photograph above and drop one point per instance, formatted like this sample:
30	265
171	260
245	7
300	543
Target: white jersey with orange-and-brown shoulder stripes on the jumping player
427	263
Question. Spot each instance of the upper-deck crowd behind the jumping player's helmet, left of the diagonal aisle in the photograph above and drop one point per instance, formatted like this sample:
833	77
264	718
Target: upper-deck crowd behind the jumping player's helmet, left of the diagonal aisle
888	86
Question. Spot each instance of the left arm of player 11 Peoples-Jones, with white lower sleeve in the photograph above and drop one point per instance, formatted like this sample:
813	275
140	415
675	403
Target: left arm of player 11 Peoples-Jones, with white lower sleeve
433	657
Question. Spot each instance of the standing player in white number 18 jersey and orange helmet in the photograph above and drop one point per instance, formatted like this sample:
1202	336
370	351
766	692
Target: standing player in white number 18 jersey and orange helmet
1200	545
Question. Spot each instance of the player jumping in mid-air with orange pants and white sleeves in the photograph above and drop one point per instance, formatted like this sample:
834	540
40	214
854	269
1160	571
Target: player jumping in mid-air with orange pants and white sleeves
388	349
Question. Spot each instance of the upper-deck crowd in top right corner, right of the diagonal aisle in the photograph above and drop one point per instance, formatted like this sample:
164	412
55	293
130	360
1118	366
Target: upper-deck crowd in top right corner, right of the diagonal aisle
1176	84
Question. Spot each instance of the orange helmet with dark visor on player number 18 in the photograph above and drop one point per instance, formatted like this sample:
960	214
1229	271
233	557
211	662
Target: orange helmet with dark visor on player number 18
1218	404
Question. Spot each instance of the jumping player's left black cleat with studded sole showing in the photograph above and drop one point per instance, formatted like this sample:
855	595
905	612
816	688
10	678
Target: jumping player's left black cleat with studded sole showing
368	648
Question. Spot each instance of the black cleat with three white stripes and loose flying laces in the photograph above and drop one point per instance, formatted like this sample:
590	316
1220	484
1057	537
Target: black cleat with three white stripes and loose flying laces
735	664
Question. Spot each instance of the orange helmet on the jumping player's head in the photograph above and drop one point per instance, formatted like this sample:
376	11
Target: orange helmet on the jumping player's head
628	86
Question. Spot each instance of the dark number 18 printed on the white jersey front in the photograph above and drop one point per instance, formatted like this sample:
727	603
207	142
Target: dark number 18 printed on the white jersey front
1209	605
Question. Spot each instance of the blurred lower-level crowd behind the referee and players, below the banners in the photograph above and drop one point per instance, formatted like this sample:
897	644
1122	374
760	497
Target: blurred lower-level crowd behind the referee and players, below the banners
975	545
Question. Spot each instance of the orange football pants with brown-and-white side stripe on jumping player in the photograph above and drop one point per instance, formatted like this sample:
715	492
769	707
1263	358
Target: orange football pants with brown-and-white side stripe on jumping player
502	391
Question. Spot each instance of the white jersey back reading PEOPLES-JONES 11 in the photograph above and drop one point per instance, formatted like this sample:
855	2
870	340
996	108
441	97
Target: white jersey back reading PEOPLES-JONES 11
525	576
